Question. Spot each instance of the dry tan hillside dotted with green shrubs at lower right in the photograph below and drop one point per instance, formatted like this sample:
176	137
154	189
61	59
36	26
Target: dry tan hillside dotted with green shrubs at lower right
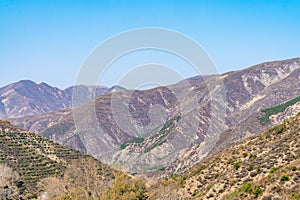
265	166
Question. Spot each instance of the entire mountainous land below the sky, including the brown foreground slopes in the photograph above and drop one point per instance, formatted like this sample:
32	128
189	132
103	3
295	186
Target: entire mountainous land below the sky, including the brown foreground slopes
228	136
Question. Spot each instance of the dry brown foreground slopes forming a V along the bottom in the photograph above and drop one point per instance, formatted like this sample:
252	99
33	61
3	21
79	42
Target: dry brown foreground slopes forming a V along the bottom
265	166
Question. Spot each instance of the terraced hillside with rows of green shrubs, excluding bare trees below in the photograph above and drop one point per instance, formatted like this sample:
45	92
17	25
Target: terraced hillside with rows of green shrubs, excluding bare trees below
32	158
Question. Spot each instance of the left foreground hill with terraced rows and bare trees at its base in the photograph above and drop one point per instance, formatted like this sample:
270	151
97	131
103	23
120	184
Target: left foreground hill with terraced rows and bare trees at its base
32	166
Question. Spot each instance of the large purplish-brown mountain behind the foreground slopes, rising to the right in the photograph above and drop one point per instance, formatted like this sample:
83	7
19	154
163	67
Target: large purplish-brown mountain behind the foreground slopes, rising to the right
171	127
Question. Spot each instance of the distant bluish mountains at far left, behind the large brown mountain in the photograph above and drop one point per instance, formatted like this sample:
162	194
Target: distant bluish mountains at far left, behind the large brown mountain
29	98
